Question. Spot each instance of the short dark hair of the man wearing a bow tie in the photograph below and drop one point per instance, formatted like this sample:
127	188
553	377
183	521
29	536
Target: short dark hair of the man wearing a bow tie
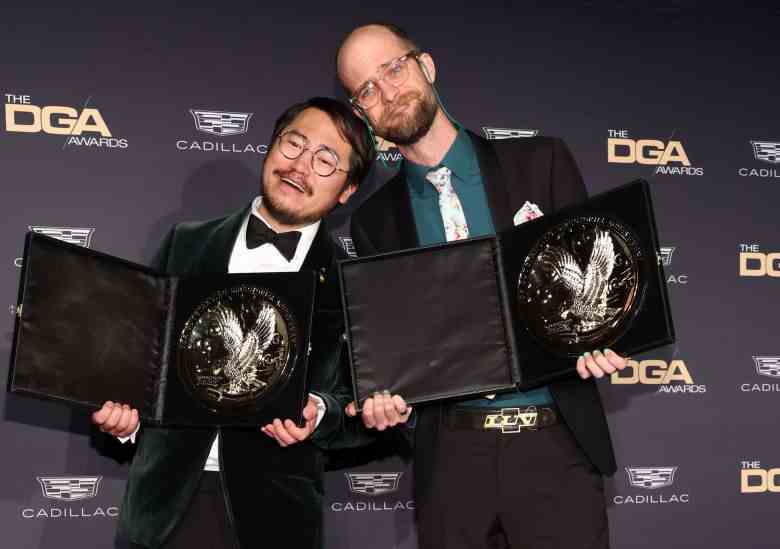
350	126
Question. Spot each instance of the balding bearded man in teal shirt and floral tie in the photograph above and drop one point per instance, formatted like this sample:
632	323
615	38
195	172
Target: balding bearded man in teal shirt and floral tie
475	485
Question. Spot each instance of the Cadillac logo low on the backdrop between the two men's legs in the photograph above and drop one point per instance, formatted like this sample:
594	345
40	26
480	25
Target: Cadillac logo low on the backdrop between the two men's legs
370	487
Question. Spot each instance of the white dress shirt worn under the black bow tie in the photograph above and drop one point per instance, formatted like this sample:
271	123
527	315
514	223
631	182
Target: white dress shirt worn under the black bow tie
263	259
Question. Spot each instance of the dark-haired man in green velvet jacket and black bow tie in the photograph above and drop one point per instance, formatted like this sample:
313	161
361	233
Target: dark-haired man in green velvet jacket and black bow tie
258	487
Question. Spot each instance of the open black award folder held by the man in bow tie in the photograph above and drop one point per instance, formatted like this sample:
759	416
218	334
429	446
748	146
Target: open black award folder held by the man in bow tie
217	349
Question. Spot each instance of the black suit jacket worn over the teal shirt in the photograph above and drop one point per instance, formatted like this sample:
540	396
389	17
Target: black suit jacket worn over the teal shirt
540	170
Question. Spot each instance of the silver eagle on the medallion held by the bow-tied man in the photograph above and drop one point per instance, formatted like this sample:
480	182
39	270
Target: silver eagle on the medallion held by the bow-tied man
245	351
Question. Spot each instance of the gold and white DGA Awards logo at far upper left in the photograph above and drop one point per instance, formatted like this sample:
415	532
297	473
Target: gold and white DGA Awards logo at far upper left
85	127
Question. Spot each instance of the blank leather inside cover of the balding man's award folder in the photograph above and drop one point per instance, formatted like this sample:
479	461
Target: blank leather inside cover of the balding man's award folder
428	323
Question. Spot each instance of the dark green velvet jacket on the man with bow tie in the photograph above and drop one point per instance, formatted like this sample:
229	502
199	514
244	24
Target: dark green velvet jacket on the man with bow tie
168	463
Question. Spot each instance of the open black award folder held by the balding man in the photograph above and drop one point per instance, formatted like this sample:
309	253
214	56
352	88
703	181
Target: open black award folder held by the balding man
492	314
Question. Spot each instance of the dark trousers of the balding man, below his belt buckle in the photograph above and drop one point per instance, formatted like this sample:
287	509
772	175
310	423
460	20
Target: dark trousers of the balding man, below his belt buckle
491	490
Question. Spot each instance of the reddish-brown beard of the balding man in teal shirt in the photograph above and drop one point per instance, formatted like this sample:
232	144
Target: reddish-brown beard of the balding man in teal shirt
409	129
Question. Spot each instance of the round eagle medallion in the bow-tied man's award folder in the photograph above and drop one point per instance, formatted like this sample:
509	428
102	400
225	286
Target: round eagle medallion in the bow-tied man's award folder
237	346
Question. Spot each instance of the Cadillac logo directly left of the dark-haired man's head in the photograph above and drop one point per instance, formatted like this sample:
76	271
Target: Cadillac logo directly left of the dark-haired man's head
220	124
